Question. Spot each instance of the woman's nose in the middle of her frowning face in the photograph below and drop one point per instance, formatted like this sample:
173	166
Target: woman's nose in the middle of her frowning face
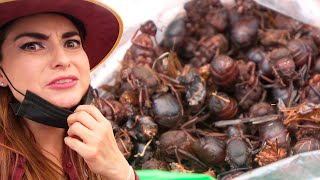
60	58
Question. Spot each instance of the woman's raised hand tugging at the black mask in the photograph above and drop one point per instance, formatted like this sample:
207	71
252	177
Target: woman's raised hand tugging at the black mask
90	134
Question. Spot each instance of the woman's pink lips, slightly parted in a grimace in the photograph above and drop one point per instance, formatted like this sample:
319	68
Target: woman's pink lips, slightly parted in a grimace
63	82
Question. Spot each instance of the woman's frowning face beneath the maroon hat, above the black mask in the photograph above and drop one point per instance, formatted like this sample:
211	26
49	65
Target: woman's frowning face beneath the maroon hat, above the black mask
43	54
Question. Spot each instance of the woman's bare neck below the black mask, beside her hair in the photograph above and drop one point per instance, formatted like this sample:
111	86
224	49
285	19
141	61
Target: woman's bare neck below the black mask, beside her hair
49	139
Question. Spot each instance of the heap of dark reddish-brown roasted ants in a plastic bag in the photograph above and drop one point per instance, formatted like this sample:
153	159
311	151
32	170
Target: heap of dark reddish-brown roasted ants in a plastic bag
264	73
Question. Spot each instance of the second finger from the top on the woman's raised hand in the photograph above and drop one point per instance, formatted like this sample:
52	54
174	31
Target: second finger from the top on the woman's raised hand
84	118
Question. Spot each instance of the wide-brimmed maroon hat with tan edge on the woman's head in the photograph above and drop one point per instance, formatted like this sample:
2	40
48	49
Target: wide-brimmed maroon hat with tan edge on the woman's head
103	26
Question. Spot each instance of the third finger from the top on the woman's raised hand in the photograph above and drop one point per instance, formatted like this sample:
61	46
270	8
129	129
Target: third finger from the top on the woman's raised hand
79	130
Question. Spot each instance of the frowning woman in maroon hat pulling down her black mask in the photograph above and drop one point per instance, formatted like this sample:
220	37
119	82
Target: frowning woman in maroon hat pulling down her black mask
47	130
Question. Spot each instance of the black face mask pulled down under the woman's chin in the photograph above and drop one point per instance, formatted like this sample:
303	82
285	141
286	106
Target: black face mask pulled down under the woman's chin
37	109
